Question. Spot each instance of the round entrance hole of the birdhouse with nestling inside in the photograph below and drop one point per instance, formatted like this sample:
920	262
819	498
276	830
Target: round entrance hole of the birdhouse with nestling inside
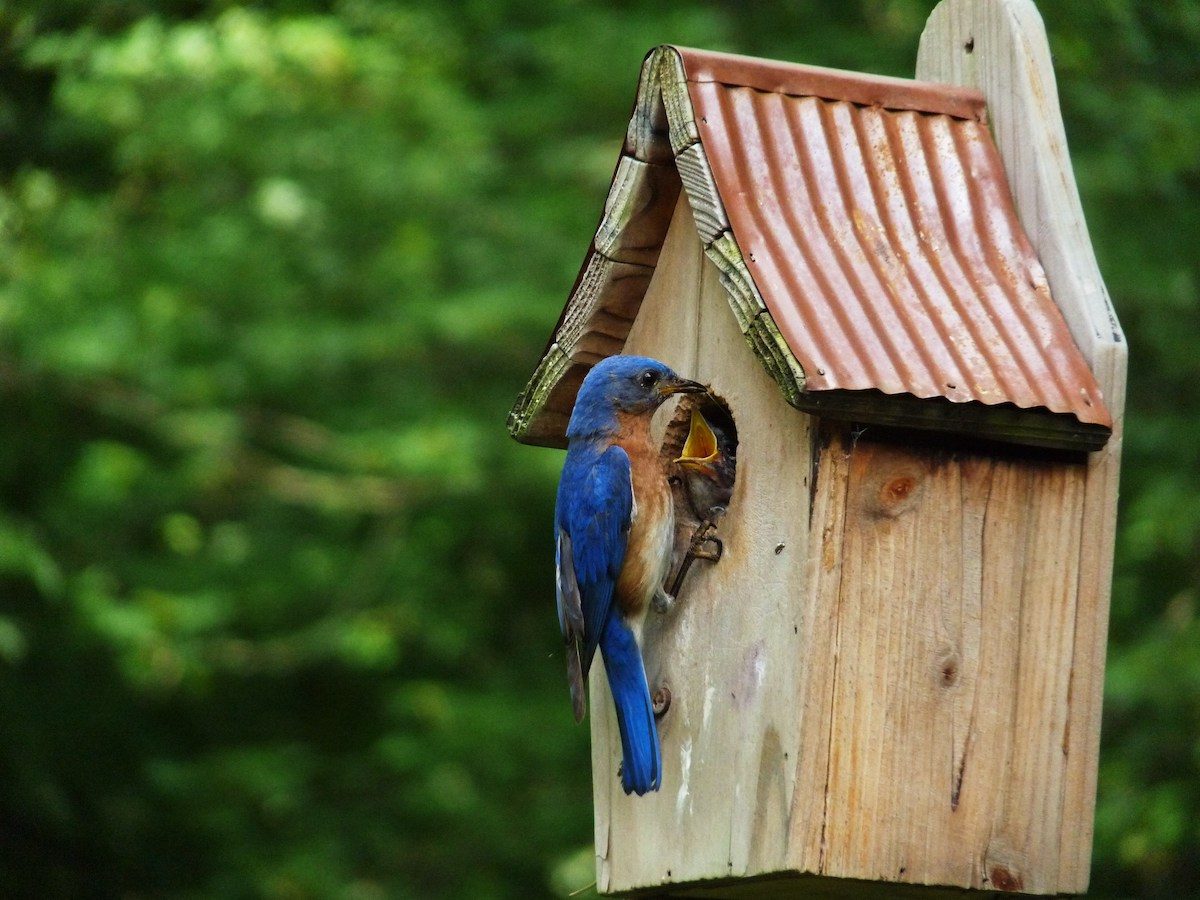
703	496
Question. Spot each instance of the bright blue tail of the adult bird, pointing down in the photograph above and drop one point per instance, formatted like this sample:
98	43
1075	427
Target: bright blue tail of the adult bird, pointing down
643	767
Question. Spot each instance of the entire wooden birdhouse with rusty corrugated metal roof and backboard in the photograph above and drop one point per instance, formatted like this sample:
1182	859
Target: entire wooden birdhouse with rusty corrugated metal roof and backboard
893	676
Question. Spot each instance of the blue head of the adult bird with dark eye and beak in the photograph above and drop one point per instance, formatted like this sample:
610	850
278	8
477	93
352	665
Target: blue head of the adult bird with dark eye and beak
631	386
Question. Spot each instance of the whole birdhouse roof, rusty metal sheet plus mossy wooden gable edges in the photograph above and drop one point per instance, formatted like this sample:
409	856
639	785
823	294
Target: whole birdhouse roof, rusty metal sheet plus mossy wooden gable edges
867	239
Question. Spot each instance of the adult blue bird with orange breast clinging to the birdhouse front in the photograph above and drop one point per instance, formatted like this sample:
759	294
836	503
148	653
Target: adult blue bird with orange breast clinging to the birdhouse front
614	533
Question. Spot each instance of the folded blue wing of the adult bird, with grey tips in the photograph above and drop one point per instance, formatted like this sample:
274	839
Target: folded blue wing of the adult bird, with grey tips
596	503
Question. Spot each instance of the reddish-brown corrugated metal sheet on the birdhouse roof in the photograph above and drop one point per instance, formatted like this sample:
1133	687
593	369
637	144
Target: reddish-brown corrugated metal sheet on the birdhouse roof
884	241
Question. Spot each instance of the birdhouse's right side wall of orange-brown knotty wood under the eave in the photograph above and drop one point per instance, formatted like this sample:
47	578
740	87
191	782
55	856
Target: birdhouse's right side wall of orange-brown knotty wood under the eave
946	593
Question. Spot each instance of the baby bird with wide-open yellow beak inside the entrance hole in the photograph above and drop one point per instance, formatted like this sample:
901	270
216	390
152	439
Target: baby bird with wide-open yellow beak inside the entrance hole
709	463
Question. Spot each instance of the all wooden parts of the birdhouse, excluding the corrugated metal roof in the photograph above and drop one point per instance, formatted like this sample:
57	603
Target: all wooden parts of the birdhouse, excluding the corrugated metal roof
895	675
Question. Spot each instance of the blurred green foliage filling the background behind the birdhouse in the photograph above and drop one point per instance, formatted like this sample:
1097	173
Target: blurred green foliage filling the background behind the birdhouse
275	593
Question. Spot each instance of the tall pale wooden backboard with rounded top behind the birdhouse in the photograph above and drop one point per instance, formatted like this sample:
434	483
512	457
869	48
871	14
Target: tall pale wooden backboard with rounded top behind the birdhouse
1001	49
